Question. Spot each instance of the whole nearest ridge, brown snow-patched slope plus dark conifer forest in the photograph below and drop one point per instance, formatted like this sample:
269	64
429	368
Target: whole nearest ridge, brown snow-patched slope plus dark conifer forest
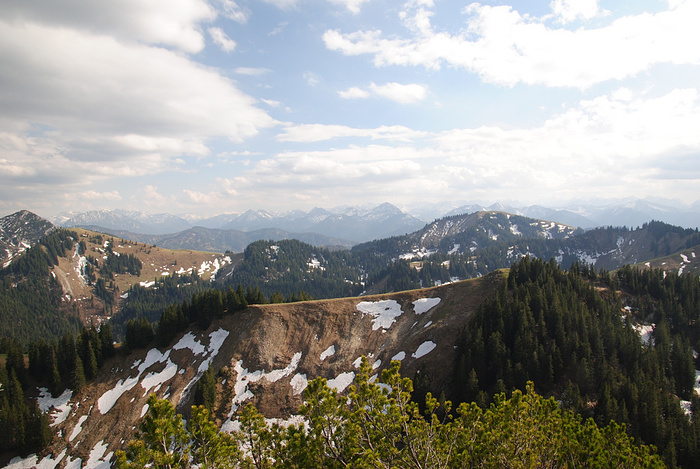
609	346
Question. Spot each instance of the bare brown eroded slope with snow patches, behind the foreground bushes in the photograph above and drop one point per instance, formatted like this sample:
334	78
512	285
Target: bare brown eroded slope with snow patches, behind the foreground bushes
266	355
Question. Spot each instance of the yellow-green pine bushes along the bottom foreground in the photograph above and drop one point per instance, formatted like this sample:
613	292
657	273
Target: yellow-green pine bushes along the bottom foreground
378	425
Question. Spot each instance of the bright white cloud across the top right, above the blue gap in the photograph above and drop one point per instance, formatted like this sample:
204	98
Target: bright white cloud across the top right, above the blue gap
504	47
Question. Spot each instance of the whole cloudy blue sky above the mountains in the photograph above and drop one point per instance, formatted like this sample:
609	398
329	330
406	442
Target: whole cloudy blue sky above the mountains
218	106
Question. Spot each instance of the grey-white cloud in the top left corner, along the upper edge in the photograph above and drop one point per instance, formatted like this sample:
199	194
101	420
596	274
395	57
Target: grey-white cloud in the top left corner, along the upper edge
159	22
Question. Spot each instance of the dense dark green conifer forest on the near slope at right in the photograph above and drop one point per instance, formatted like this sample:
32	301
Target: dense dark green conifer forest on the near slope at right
571	334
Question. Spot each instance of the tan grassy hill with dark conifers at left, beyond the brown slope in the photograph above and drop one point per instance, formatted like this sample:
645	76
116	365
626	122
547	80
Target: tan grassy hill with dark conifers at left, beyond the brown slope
74	277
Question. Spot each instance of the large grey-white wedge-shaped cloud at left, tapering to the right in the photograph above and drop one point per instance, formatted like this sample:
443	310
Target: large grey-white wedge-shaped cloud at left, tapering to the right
80	108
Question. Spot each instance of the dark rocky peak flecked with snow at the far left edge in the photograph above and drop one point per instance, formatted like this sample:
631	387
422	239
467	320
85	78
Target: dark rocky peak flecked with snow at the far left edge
20	231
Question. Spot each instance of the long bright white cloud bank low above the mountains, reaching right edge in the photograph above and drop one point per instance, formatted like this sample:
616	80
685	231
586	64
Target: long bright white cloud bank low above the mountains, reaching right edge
618	144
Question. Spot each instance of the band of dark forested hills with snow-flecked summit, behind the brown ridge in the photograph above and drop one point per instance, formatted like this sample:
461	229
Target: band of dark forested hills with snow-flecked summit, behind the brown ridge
454	248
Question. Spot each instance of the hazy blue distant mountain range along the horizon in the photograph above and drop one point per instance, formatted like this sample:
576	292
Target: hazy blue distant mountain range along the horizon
355	225
